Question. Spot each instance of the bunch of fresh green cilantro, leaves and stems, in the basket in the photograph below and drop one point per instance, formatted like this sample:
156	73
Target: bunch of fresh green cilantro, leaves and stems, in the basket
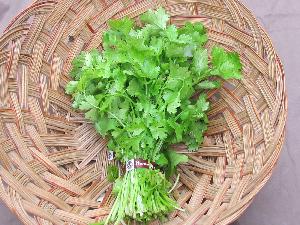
140	94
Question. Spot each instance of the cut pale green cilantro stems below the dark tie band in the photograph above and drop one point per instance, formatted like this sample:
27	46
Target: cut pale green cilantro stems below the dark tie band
143	196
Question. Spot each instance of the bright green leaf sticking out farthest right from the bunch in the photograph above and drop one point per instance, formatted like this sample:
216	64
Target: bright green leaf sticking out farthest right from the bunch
226	64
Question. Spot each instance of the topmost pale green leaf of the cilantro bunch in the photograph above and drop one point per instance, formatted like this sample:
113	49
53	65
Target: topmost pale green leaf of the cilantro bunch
158	18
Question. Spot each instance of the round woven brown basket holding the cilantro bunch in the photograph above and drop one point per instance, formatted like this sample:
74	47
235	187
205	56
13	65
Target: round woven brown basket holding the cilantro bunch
53	163
